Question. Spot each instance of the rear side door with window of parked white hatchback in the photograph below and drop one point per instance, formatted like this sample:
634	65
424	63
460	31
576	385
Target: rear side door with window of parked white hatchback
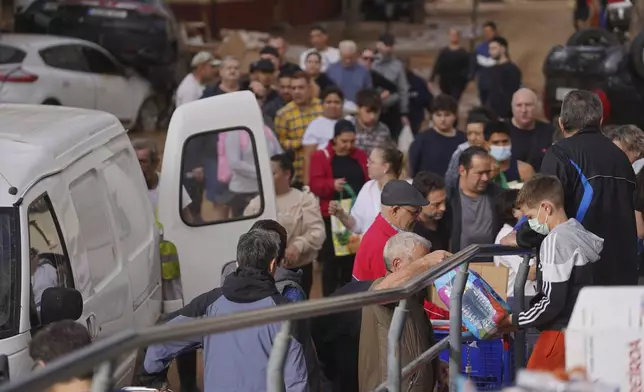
67	79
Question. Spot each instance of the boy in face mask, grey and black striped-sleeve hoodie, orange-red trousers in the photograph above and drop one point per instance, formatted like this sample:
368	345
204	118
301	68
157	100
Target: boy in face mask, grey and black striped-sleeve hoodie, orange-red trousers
566	259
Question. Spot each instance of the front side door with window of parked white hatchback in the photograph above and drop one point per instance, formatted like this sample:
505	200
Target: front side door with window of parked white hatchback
114	94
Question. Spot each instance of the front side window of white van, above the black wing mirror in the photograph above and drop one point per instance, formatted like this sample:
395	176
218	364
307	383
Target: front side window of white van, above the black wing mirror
49	261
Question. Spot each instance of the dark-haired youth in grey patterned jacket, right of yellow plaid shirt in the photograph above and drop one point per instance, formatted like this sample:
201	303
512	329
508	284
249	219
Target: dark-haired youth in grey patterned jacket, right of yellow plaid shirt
370	132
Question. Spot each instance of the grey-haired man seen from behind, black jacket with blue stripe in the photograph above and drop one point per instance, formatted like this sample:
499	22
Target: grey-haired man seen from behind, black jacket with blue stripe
598	182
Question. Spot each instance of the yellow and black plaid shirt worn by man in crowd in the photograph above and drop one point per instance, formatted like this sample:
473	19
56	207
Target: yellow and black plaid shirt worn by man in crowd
290	123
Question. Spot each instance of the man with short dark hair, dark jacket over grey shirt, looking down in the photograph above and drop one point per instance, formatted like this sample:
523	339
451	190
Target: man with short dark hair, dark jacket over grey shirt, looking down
471	206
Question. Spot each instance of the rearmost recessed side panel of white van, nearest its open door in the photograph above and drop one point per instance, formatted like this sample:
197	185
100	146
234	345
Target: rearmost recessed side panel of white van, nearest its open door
127	202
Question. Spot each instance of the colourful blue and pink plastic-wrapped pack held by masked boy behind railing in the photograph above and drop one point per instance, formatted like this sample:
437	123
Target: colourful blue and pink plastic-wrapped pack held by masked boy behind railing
483	308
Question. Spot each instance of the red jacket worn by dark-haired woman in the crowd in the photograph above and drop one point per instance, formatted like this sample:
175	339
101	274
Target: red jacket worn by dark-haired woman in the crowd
321	174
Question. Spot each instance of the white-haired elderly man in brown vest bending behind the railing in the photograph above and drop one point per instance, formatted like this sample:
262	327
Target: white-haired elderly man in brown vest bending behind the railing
400	252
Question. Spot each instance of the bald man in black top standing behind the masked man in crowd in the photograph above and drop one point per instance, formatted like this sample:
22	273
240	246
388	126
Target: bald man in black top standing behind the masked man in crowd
530	137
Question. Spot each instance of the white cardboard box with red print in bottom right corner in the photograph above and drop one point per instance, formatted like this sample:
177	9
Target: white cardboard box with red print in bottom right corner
605	336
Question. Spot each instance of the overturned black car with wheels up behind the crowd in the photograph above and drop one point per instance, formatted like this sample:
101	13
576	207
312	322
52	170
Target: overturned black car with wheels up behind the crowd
613	70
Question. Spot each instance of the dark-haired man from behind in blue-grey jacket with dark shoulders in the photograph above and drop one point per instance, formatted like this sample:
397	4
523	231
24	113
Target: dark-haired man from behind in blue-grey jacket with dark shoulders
237	360
